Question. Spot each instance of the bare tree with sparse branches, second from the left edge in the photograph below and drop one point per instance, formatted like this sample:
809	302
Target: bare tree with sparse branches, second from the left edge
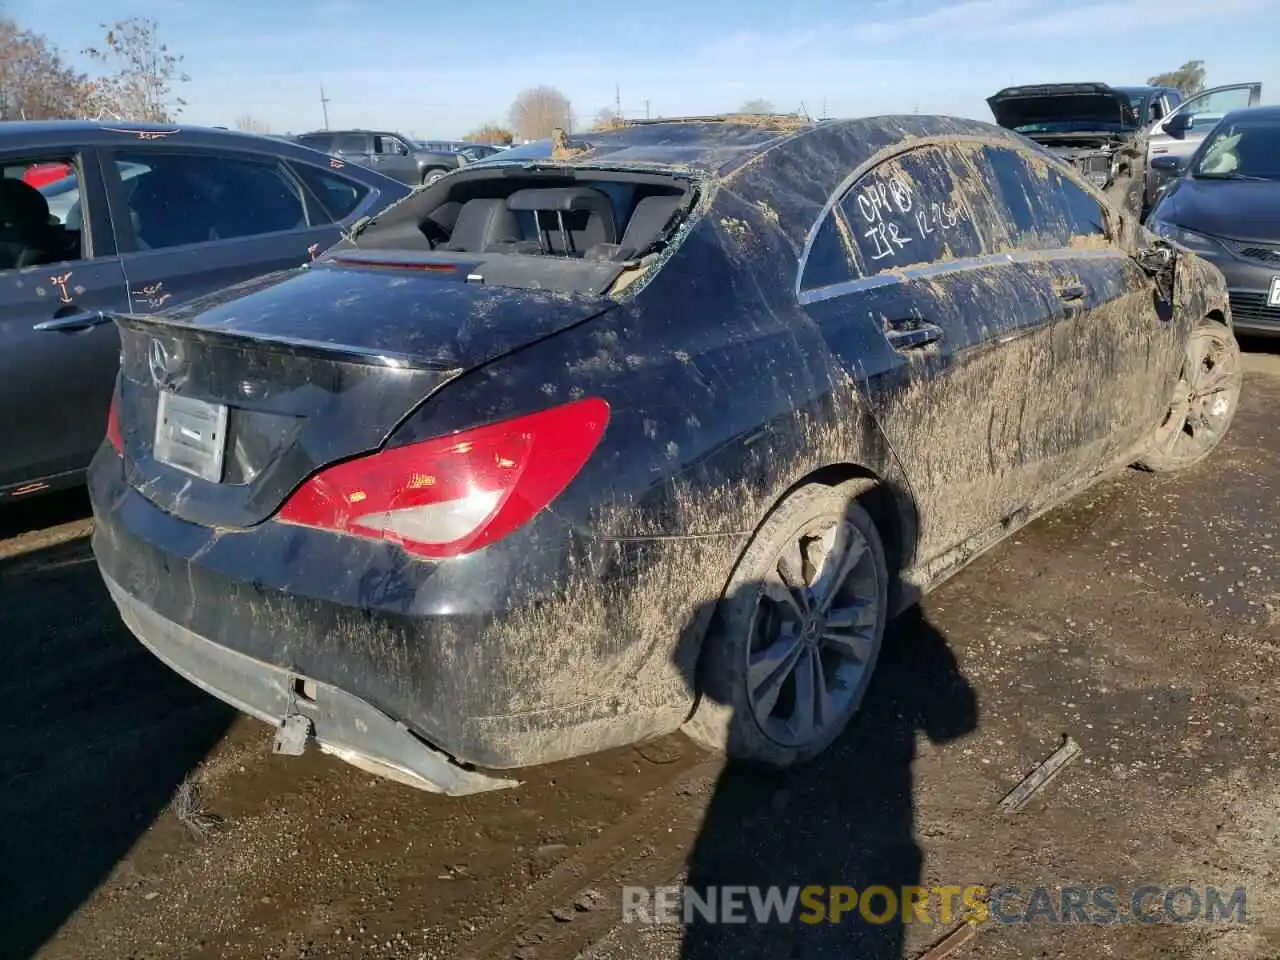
140	72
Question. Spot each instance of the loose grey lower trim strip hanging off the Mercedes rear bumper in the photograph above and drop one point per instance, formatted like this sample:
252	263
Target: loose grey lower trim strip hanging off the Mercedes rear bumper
337	723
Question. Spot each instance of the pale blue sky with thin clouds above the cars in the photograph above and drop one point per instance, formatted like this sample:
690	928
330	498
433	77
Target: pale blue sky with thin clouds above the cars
437	70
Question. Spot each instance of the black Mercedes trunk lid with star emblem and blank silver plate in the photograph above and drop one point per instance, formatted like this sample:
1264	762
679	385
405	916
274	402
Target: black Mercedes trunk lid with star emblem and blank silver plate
228	404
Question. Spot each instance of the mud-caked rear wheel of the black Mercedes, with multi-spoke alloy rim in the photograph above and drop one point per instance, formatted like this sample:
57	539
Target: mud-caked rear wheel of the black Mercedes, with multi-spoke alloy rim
796	639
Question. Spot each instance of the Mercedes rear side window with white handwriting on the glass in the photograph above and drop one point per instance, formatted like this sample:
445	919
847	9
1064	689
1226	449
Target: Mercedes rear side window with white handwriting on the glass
911	211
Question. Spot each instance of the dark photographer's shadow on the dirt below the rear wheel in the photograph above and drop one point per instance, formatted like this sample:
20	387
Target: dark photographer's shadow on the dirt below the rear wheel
845	820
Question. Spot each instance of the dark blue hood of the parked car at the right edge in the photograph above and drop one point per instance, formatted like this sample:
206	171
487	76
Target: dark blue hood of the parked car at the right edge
1232	209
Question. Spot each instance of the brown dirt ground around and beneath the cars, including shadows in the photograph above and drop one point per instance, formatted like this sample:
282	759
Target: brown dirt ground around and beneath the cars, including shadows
1144	620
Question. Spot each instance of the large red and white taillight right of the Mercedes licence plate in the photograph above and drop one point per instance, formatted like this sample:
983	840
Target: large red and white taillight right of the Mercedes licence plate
454	495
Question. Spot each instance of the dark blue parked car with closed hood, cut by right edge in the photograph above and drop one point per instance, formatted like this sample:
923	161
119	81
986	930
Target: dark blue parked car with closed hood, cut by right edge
1226	208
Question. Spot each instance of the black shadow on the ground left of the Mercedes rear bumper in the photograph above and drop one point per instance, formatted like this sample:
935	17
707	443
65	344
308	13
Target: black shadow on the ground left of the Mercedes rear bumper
95	734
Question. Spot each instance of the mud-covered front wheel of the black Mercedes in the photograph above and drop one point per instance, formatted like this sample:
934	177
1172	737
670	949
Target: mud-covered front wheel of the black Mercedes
1204	405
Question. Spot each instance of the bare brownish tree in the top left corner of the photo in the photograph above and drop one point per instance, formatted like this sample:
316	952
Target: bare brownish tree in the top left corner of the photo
35	81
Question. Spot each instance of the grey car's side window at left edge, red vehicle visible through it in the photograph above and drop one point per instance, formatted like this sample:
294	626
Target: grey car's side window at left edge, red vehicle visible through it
42	217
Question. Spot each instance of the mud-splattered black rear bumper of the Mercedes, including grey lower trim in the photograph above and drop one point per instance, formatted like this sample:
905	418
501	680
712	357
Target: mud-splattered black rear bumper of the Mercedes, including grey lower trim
520	655
